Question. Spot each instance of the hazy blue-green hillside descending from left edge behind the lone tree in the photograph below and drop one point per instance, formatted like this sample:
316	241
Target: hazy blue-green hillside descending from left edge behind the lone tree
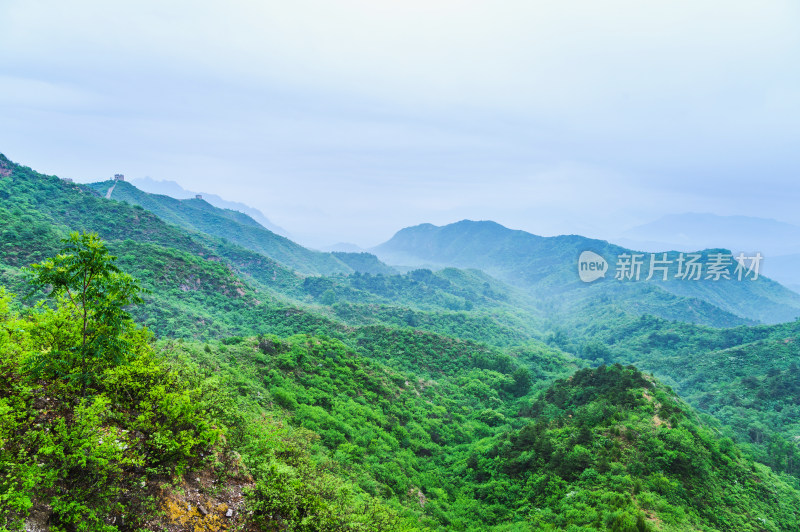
203	286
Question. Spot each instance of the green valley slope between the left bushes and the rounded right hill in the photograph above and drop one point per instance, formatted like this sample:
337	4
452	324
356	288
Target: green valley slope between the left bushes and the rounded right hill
394	434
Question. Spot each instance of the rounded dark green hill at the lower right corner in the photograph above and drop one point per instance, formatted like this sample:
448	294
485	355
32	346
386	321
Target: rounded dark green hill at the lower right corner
608	448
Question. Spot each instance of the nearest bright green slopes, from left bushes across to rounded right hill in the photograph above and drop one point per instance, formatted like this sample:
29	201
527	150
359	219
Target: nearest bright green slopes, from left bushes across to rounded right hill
304	433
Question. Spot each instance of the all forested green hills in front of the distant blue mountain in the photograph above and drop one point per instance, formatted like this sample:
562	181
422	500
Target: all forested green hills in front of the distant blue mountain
163	377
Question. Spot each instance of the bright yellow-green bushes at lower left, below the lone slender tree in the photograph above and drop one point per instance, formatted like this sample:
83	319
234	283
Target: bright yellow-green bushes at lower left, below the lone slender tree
88	459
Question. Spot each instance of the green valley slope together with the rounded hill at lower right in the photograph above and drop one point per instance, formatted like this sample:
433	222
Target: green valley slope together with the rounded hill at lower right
606	448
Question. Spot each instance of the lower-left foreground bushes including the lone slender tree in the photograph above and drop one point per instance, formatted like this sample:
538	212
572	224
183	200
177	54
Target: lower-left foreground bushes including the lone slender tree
91	460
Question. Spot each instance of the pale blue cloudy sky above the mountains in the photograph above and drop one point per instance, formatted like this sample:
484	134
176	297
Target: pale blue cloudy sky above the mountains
346	121
